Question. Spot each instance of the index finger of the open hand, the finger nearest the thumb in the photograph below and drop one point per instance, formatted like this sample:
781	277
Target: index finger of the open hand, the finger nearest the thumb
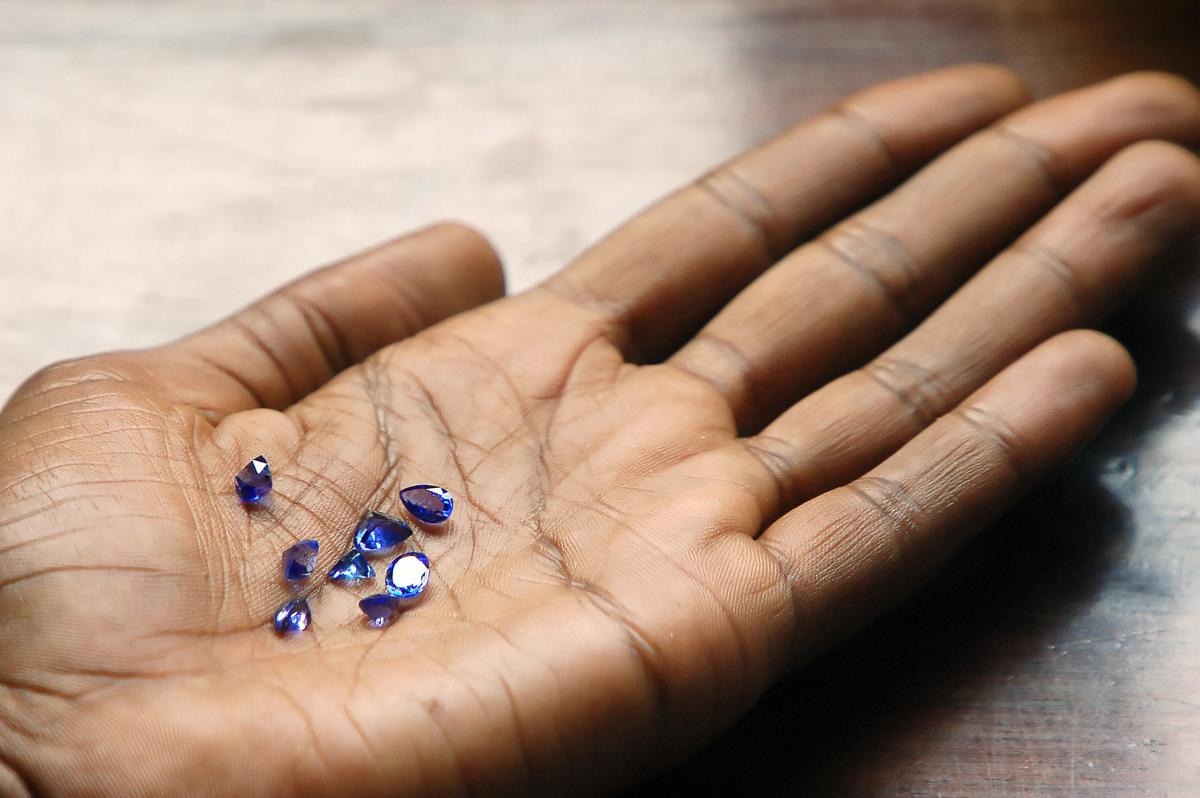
698	248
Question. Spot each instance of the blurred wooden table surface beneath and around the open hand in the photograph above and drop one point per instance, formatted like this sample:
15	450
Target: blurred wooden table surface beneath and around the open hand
164	163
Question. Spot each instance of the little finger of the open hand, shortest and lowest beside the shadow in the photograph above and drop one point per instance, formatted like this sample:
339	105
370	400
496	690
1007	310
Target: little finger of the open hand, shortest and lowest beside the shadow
857	550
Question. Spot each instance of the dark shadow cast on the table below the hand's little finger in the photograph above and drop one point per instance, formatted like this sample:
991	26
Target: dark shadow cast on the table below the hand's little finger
855	722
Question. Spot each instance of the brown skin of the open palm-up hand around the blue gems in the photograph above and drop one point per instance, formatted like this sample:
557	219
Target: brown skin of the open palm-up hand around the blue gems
749	422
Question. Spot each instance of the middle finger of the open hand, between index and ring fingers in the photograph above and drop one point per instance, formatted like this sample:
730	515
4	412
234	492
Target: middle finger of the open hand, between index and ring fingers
838	301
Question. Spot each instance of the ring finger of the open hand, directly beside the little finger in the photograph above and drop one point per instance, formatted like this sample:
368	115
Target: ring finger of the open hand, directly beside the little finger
1067	272
